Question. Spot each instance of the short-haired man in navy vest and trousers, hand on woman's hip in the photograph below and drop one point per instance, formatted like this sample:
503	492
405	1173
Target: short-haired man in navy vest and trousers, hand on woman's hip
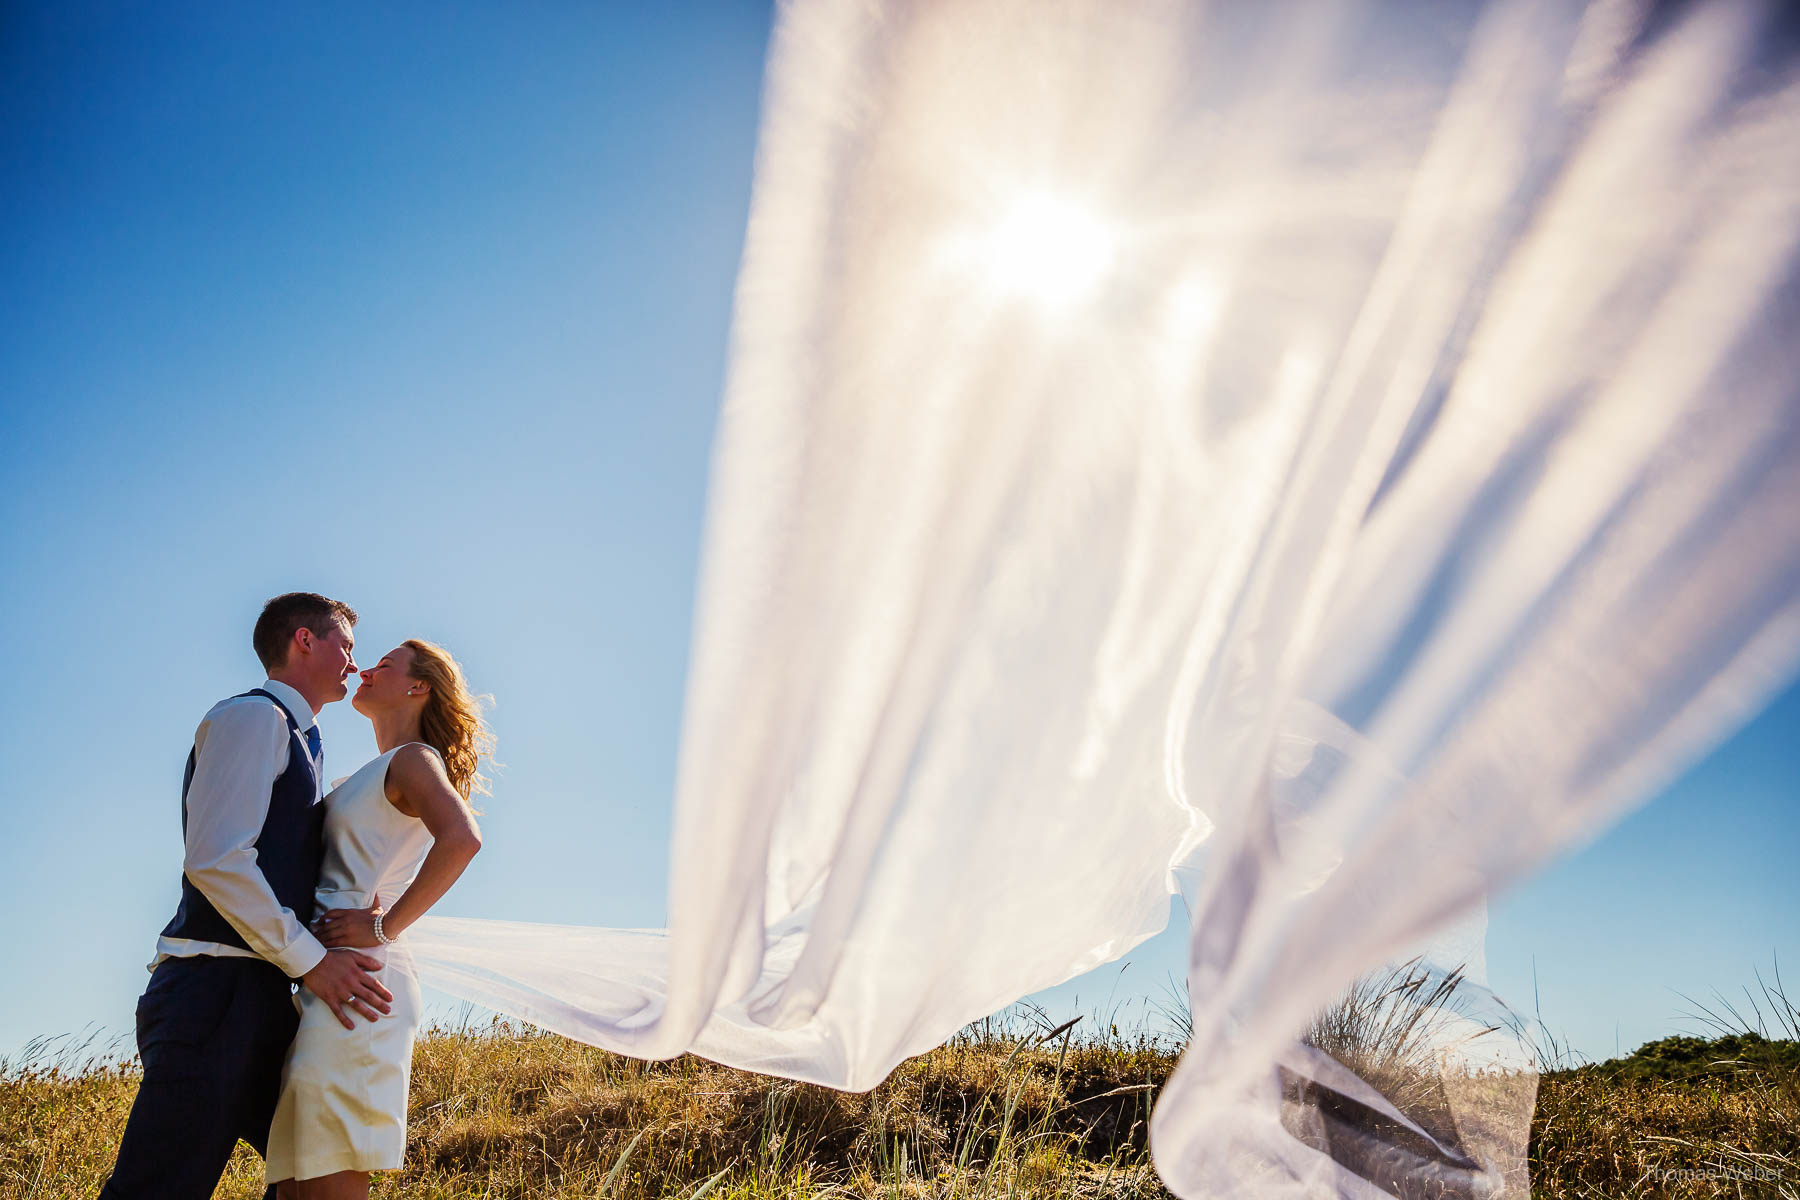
215	1025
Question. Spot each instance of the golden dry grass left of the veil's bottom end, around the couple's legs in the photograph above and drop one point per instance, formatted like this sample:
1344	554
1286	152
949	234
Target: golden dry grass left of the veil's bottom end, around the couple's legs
512	1113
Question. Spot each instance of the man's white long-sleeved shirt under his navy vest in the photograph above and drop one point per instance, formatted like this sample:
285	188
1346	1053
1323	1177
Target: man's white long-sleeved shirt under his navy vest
240	749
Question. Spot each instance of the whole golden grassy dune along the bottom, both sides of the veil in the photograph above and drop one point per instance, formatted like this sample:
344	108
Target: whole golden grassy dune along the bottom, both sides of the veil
507	1113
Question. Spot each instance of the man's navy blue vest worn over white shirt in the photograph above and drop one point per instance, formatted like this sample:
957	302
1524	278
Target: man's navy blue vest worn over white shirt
289	850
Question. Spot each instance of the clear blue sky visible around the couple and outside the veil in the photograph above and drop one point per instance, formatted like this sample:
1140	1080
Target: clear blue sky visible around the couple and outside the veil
427	310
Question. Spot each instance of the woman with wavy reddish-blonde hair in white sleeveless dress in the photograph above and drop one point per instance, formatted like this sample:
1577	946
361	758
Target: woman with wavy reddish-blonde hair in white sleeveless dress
400	827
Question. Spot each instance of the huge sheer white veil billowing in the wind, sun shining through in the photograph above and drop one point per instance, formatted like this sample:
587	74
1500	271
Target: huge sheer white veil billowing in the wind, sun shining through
1315	460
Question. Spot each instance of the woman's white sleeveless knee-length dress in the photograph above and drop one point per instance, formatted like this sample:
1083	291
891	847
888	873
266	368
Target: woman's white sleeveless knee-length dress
345	1091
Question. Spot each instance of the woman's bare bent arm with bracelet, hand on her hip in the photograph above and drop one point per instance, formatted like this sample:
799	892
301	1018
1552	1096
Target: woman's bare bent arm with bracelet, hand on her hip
418	787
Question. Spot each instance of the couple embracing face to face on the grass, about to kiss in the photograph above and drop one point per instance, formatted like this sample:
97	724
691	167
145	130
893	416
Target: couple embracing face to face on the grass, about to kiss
282	1003
